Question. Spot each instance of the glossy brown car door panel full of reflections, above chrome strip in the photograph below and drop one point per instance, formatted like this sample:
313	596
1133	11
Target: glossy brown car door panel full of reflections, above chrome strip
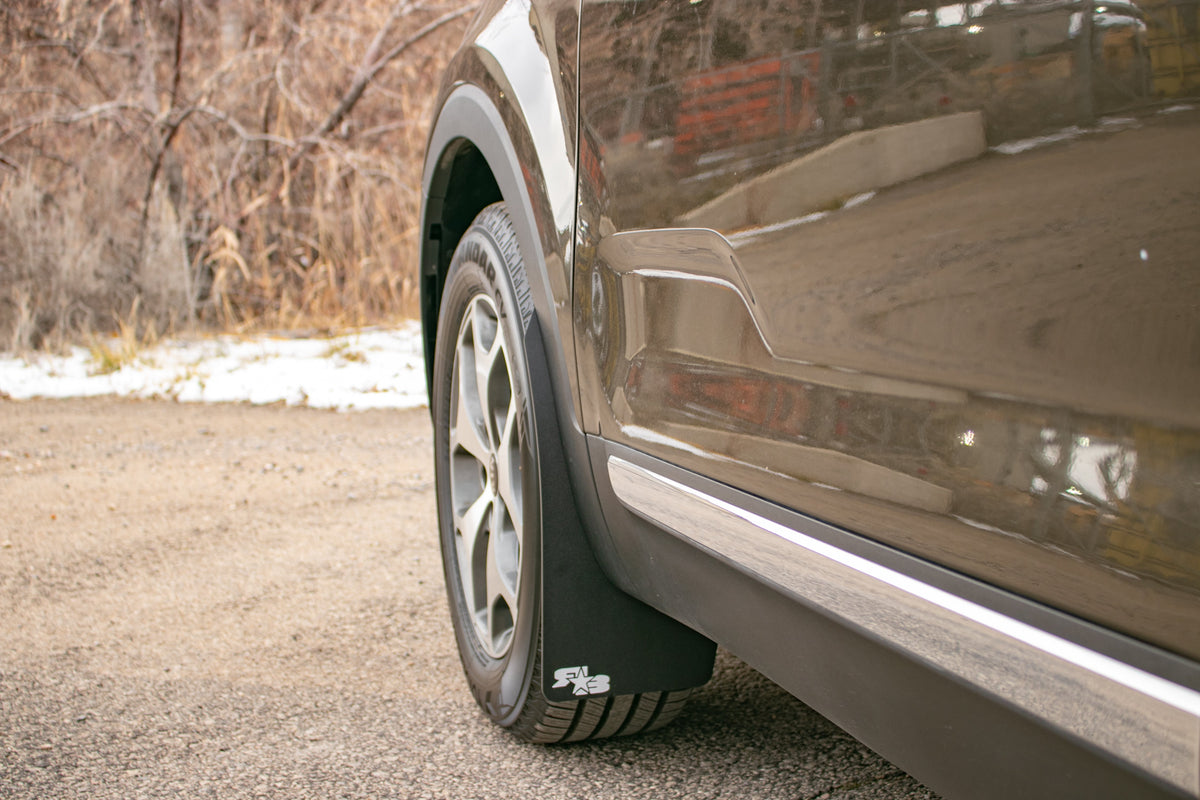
943	282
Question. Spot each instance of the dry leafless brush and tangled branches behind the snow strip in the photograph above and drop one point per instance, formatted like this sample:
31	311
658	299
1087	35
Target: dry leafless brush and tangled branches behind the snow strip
225	163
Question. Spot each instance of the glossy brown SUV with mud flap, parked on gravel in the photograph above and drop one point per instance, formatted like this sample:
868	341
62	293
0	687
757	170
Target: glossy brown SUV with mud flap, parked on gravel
861	338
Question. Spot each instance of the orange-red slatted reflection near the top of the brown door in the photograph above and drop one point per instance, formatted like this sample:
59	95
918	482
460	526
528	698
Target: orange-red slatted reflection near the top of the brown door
747	104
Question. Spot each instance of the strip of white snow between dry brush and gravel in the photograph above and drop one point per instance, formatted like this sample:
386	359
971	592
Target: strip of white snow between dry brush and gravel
371	369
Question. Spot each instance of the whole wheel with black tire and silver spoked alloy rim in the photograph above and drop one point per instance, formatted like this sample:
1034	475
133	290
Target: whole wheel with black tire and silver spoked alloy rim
489	497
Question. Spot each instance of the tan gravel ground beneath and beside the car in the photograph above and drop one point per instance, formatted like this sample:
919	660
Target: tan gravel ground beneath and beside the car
241	601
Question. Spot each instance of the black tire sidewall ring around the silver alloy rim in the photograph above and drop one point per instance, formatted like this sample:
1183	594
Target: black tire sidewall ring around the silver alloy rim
481	266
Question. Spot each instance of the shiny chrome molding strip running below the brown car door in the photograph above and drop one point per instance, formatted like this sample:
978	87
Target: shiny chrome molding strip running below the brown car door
1143	720
